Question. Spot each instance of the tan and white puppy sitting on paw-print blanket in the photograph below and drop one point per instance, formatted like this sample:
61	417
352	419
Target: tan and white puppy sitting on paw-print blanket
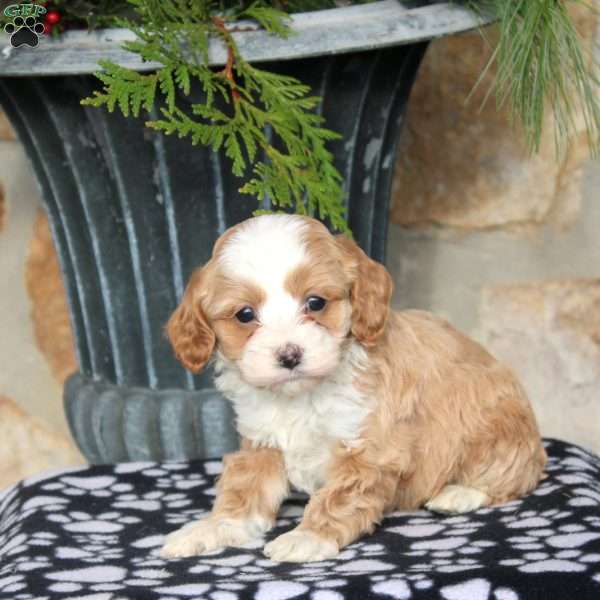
365	409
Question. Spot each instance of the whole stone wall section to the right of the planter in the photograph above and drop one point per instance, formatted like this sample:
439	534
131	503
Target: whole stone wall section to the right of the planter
503	244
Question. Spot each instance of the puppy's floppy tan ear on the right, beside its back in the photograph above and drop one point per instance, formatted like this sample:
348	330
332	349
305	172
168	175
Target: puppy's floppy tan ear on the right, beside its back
370	292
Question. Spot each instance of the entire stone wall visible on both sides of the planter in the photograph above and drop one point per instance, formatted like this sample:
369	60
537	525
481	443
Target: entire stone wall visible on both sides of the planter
504	245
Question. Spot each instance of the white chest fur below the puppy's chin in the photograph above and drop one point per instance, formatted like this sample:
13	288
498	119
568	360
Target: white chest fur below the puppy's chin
306	427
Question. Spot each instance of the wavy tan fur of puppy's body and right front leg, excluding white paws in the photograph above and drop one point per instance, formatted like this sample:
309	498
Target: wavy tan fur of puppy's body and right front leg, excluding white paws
448	413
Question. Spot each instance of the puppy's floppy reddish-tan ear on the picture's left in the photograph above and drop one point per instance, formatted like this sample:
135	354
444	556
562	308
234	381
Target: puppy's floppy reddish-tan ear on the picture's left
188	329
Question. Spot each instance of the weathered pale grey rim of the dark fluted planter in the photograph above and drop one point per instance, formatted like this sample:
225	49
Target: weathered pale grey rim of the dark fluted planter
349	29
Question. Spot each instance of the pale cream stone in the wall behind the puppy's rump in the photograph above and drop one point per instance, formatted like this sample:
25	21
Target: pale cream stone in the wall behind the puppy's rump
549	331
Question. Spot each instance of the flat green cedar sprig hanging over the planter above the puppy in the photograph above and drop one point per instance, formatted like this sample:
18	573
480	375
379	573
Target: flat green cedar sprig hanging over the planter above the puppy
240	103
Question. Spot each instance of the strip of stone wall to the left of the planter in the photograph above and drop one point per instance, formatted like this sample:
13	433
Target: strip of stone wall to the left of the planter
36	348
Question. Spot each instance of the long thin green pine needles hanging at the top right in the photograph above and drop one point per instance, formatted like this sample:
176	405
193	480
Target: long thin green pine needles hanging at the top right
541	64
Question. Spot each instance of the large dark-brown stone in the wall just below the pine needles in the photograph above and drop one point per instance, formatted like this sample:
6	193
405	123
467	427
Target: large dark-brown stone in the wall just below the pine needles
464	166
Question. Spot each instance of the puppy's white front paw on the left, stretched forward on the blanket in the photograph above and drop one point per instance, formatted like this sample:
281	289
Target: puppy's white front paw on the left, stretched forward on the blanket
206	535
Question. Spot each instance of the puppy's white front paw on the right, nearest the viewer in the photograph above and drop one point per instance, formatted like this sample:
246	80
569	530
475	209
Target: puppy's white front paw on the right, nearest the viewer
300	545
